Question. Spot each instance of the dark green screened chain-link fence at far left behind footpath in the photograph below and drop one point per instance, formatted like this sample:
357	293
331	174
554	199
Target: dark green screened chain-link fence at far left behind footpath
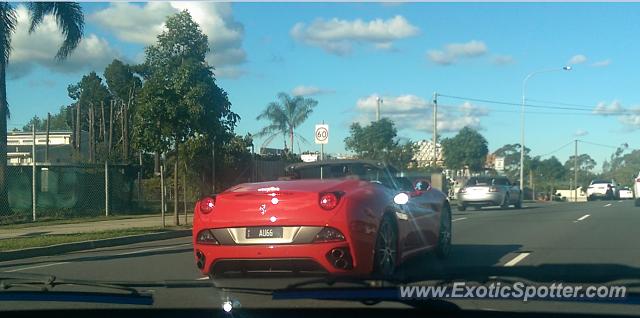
67	191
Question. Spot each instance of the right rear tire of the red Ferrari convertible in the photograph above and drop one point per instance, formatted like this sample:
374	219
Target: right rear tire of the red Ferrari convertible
385	254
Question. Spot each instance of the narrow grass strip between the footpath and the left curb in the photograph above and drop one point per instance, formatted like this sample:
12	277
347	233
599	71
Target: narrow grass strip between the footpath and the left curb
48	240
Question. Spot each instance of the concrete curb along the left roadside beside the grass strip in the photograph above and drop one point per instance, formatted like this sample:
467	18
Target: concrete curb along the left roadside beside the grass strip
88	245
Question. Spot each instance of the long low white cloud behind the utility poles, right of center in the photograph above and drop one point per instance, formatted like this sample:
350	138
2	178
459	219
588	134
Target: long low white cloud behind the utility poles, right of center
415	113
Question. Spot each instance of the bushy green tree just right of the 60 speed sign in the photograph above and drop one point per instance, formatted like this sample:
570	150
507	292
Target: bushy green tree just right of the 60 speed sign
378	141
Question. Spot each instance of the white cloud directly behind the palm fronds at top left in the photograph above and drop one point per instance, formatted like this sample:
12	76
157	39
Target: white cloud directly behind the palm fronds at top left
40	48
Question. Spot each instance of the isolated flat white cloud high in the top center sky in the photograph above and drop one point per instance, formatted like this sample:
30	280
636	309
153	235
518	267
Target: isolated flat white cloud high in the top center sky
338	36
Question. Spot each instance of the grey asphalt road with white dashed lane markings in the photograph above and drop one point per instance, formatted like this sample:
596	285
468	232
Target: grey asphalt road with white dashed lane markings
540	233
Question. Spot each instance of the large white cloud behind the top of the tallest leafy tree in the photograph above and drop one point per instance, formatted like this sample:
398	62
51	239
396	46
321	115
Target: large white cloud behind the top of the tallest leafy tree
142	24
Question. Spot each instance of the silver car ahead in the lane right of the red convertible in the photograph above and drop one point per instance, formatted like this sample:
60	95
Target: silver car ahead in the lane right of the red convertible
489	191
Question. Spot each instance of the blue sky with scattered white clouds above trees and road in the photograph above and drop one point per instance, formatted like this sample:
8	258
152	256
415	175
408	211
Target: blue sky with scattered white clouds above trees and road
345	55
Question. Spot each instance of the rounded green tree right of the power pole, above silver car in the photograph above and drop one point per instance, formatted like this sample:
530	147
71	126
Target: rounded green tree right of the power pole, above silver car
467	149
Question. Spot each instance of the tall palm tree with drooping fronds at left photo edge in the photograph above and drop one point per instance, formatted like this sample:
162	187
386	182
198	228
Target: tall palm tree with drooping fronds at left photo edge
70	20
